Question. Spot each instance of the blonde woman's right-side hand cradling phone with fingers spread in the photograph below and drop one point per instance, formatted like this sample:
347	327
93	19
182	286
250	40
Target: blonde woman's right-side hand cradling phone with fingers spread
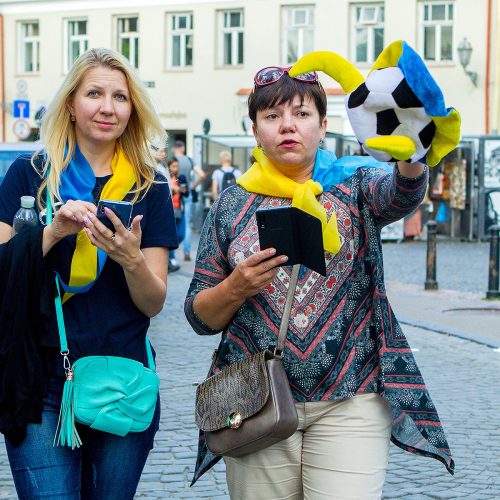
122	245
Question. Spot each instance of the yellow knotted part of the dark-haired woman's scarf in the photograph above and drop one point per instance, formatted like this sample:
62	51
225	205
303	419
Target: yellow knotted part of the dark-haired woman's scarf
264	178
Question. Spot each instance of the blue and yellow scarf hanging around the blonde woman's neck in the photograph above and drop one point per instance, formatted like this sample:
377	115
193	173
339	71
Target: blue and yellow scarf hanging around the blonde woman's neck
77	183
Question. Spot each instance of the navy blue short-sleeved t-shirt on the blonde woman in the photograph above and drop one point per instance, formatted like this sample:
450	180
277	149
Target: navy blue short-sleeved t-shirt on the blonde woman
104	320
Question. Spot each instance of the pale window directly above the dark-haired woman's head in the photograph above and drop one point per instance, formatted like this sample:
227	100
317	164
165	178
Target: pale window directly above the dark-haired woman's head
298	32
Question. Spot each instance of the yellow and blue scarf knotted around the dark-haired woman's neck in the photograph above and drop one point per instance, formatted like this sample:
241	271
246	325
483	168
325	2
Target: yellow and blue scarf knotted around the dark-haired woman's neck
264	178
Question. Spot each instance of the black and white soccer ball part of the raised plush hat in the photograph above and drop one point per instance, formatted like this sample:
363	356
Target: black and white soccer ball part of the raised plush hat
385	105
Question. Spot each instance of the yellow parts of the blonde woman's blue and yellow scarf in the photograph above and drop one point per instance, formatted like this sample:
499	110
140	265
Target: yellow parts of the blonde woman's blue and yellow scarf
84	261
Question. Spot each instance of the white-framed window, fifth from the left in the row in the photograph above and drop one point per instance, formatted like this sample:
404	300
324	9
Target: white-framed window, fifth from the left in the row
231	24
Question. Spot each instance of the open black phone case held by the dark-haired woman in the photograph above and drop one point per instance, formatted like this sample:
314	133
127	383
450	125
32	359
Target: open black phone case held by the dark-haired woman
294	233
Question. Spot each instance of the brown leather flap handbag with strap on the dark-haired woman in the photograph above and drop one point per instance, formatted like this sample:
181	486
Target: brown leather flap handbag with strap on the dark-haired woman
248	406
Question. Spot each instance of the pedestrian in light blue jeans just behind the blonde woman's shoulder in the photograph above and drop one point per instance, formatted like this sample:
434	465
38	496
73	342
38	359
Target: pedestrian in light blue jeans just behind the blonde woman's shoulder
194	175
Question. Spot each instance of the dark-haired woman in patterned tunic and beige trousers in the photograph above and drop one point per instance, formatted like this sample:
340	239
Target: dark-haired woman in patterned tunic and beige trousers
350	368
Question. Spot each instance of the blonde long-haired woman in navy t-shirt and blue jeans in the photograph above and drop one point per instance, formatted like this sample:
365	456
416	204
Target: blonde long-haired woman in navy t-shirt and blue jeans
96	134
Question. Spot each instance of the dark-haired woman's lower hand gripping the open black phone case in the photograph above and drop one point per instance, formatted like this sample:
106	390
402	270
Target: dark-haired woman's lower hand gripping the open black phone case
254	273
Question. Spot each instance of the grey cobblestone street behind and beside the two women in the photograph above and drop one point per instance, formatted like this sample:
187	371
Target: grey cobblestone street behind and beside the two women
463	378
